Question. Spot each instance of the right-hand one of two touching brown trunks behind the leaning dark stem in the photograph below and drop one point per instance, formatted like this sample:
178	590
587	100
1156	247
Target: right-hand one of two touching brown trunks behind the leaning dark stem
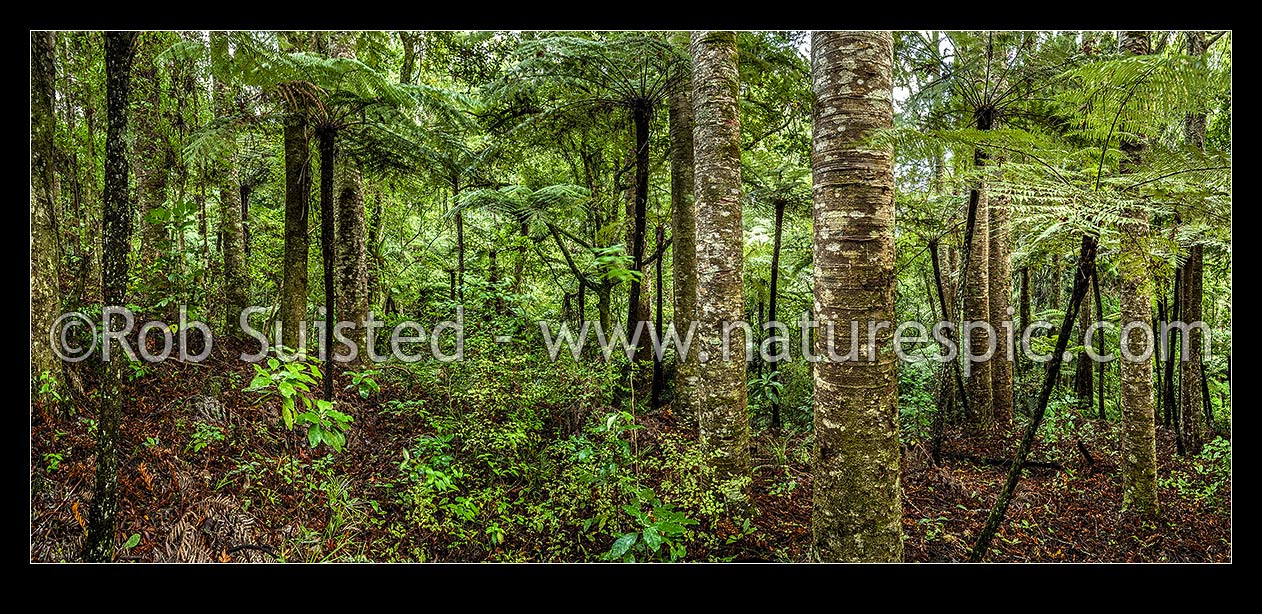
1001	299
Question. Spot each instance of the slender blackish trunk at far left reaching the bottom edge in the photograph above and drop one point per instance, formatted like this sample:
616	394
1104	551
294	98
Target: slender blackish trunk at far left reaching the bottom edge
117	244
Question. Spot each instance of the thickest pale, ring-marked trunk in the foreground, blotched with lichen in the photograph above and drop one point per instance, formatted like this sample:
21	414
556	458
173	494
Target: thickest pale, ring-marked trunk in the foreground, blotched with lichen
858	514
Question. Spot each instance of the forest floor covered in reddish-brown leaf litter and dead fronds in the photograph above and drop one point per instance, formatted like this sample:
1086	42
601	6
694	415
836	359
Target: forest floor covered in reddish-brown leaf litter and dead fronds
256	496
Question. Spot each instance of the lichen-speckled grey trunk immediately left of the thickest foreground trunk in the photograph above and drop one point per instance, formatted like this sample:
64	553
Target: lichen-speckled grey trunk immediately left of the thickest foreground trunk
725	426
